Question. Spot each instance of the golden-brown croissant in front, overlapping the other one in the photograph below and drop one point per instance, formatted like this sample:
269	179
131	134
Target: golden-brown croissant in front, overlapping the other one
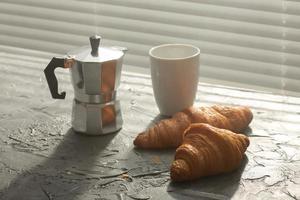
207	150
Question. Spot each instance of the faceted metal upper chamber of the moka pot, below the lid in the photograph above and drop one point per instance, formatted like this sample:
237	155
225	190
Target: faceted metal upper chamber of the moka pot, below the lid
96	82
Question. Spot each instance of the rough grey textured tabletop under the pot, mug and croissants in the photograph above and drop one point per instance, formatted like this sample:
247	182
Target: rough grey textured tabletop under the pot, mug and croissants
41	158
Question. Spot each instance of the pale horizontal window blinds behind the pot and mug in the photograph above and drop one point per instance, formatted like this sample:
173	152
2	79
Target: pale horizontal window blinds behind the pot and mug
252	42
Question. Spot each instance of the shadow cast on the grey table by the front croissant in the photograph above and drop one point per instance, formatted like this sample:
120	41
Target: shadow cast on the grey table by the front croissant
213	187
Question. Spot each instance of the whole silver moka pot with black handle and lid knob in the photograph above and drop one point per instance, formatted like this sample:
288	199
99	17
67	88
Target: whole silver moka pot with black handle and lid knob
95	74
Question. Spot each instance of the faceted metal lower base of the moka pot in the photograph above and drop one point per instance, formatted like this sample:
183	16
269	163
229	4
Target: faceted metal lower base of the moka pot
96	119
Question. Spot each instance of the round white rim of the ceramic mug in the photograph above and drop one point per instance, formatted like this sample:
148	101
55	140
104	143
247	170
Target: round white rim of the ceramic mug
174	44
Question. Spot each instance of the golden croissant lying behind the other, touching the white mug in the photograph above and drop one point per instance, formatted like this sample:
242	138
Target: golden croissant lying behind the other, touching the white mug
168	132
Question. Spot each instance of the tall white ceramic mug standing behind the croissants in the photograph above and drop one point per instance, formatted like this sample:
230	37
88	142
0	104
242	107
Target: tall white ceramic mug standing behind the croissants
175	75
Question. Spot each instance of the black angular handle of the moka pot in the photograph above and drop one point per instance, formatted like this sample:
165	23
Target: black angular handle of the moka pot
51	78
